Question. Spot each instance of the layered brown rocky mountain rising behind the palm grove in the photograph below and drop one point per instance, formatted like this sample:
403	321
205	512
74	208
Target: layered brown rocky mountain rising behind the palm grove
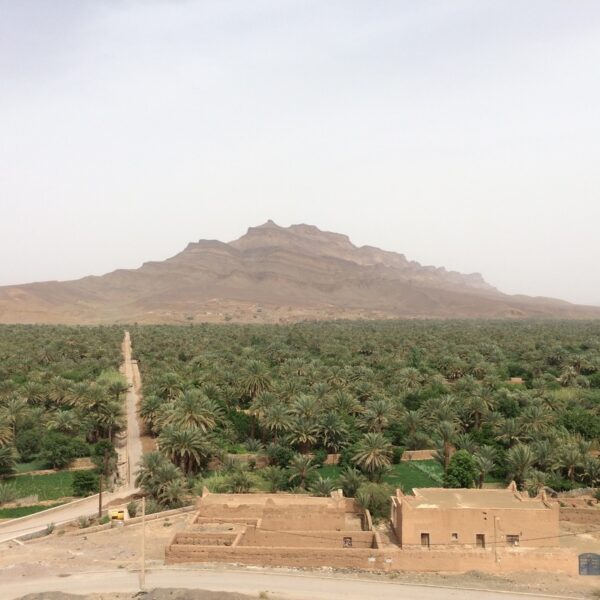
273	274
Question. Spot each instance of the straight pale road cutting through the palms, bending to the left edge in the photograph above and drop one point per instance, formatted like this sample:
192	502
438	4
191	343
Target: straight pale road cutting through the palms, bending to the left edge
89	506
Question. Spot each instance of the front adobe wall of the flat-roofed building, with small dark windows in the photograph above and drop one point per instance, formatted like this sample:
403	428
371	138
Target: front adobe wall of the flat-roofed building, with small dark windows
536	528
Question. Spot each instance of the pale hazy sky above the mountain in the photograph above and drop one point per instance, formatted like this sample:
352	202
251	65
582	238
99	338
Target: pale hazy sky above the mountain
461	133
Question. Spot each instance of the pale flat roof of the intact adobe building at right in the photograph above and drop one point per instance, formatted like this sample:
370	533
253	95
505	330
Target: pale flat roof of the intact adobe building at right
463	498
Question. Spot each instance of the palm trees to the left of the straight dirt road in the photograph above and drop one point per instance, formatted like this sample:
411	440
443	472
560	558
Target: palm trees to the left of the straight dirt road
57	385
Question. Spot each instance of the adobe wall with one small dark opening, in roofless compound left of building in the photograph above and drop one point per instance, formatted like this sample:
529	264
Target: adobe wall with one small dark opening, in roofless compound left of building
305	539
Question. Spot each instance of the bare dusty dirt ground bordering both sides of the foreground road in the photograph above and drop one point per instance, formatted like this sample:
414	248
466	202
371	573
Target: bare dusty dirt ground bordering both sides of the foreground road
119	548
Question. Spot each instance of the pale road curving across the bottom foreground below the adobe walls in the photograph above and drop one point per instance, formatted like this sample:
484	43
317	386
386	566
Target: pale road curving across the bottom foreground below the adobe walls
296	587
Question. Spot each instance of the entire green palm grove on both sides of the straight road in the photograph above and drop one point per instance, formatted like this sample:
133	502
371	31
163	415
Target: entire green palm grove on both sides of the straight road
294	393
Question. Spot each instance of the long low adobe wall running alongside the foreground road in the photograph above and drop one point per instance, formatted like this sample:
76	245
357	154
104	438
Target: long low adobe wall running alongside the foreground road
507	561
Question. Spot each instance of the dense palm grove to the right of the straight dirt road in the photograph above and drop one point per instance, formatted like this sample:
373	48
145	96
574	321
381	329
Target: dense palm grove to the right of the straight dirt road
368	390
